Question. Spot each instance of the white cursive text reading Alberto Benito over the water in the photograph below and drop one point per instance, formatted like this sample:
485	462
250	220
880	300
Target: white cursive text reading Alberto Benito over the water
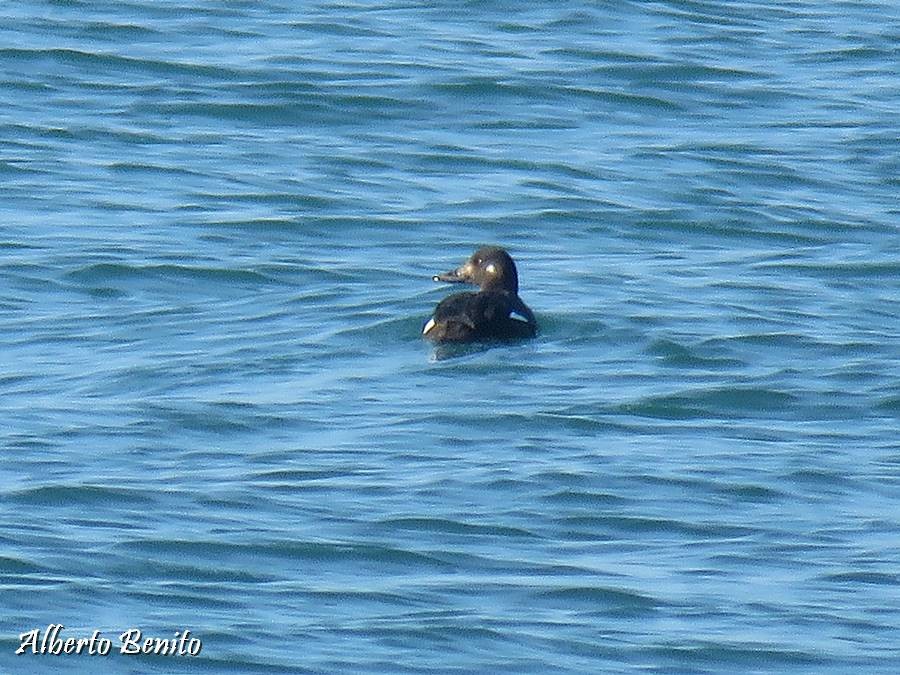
131	641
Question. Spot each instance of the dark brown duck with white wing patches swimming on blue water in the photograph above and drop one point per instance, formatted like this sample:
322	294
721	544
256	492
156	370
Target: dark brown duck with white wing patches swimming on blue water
495	312
